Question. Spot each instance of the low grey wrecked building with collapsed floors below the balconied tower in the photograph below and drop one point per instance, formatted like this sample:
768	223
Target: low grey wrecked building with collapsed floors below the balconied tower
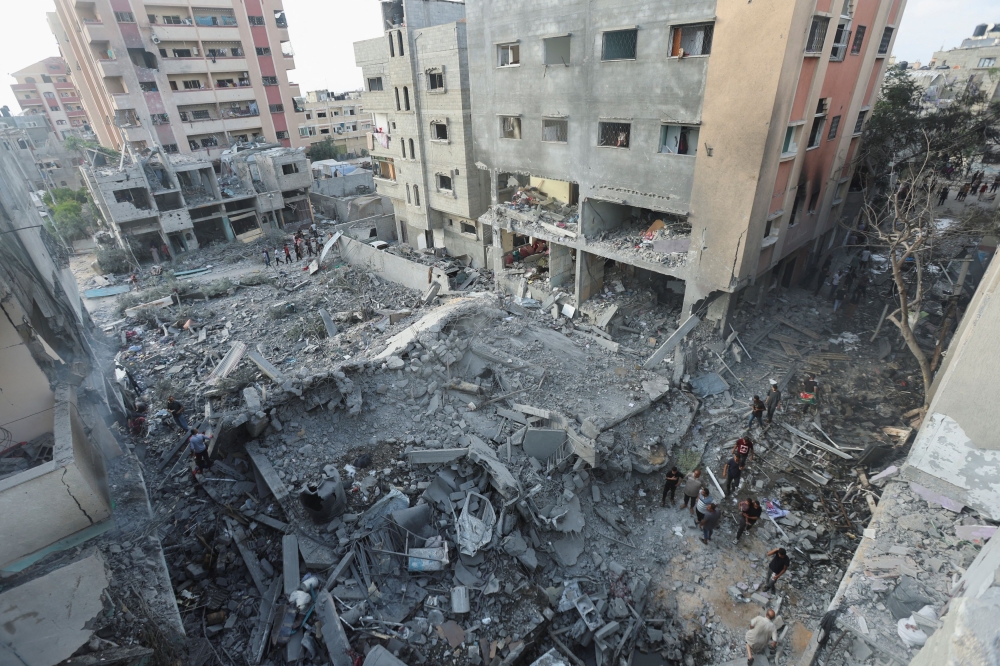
182	202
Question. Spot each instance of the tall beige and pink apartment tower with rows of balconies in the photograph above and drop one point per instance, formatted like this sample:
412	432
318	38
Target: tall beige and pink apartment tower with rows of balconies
190	79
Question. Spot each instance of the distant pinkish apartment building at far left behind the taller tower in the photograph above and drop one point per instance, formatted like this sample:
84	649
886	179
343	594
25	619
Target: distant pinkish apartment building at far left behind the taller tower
46	88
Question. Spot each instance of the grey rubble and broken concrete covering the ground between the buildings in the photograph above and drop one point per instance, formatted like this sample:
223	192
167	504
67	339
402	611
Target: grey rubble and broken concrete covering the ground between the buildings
471	481
